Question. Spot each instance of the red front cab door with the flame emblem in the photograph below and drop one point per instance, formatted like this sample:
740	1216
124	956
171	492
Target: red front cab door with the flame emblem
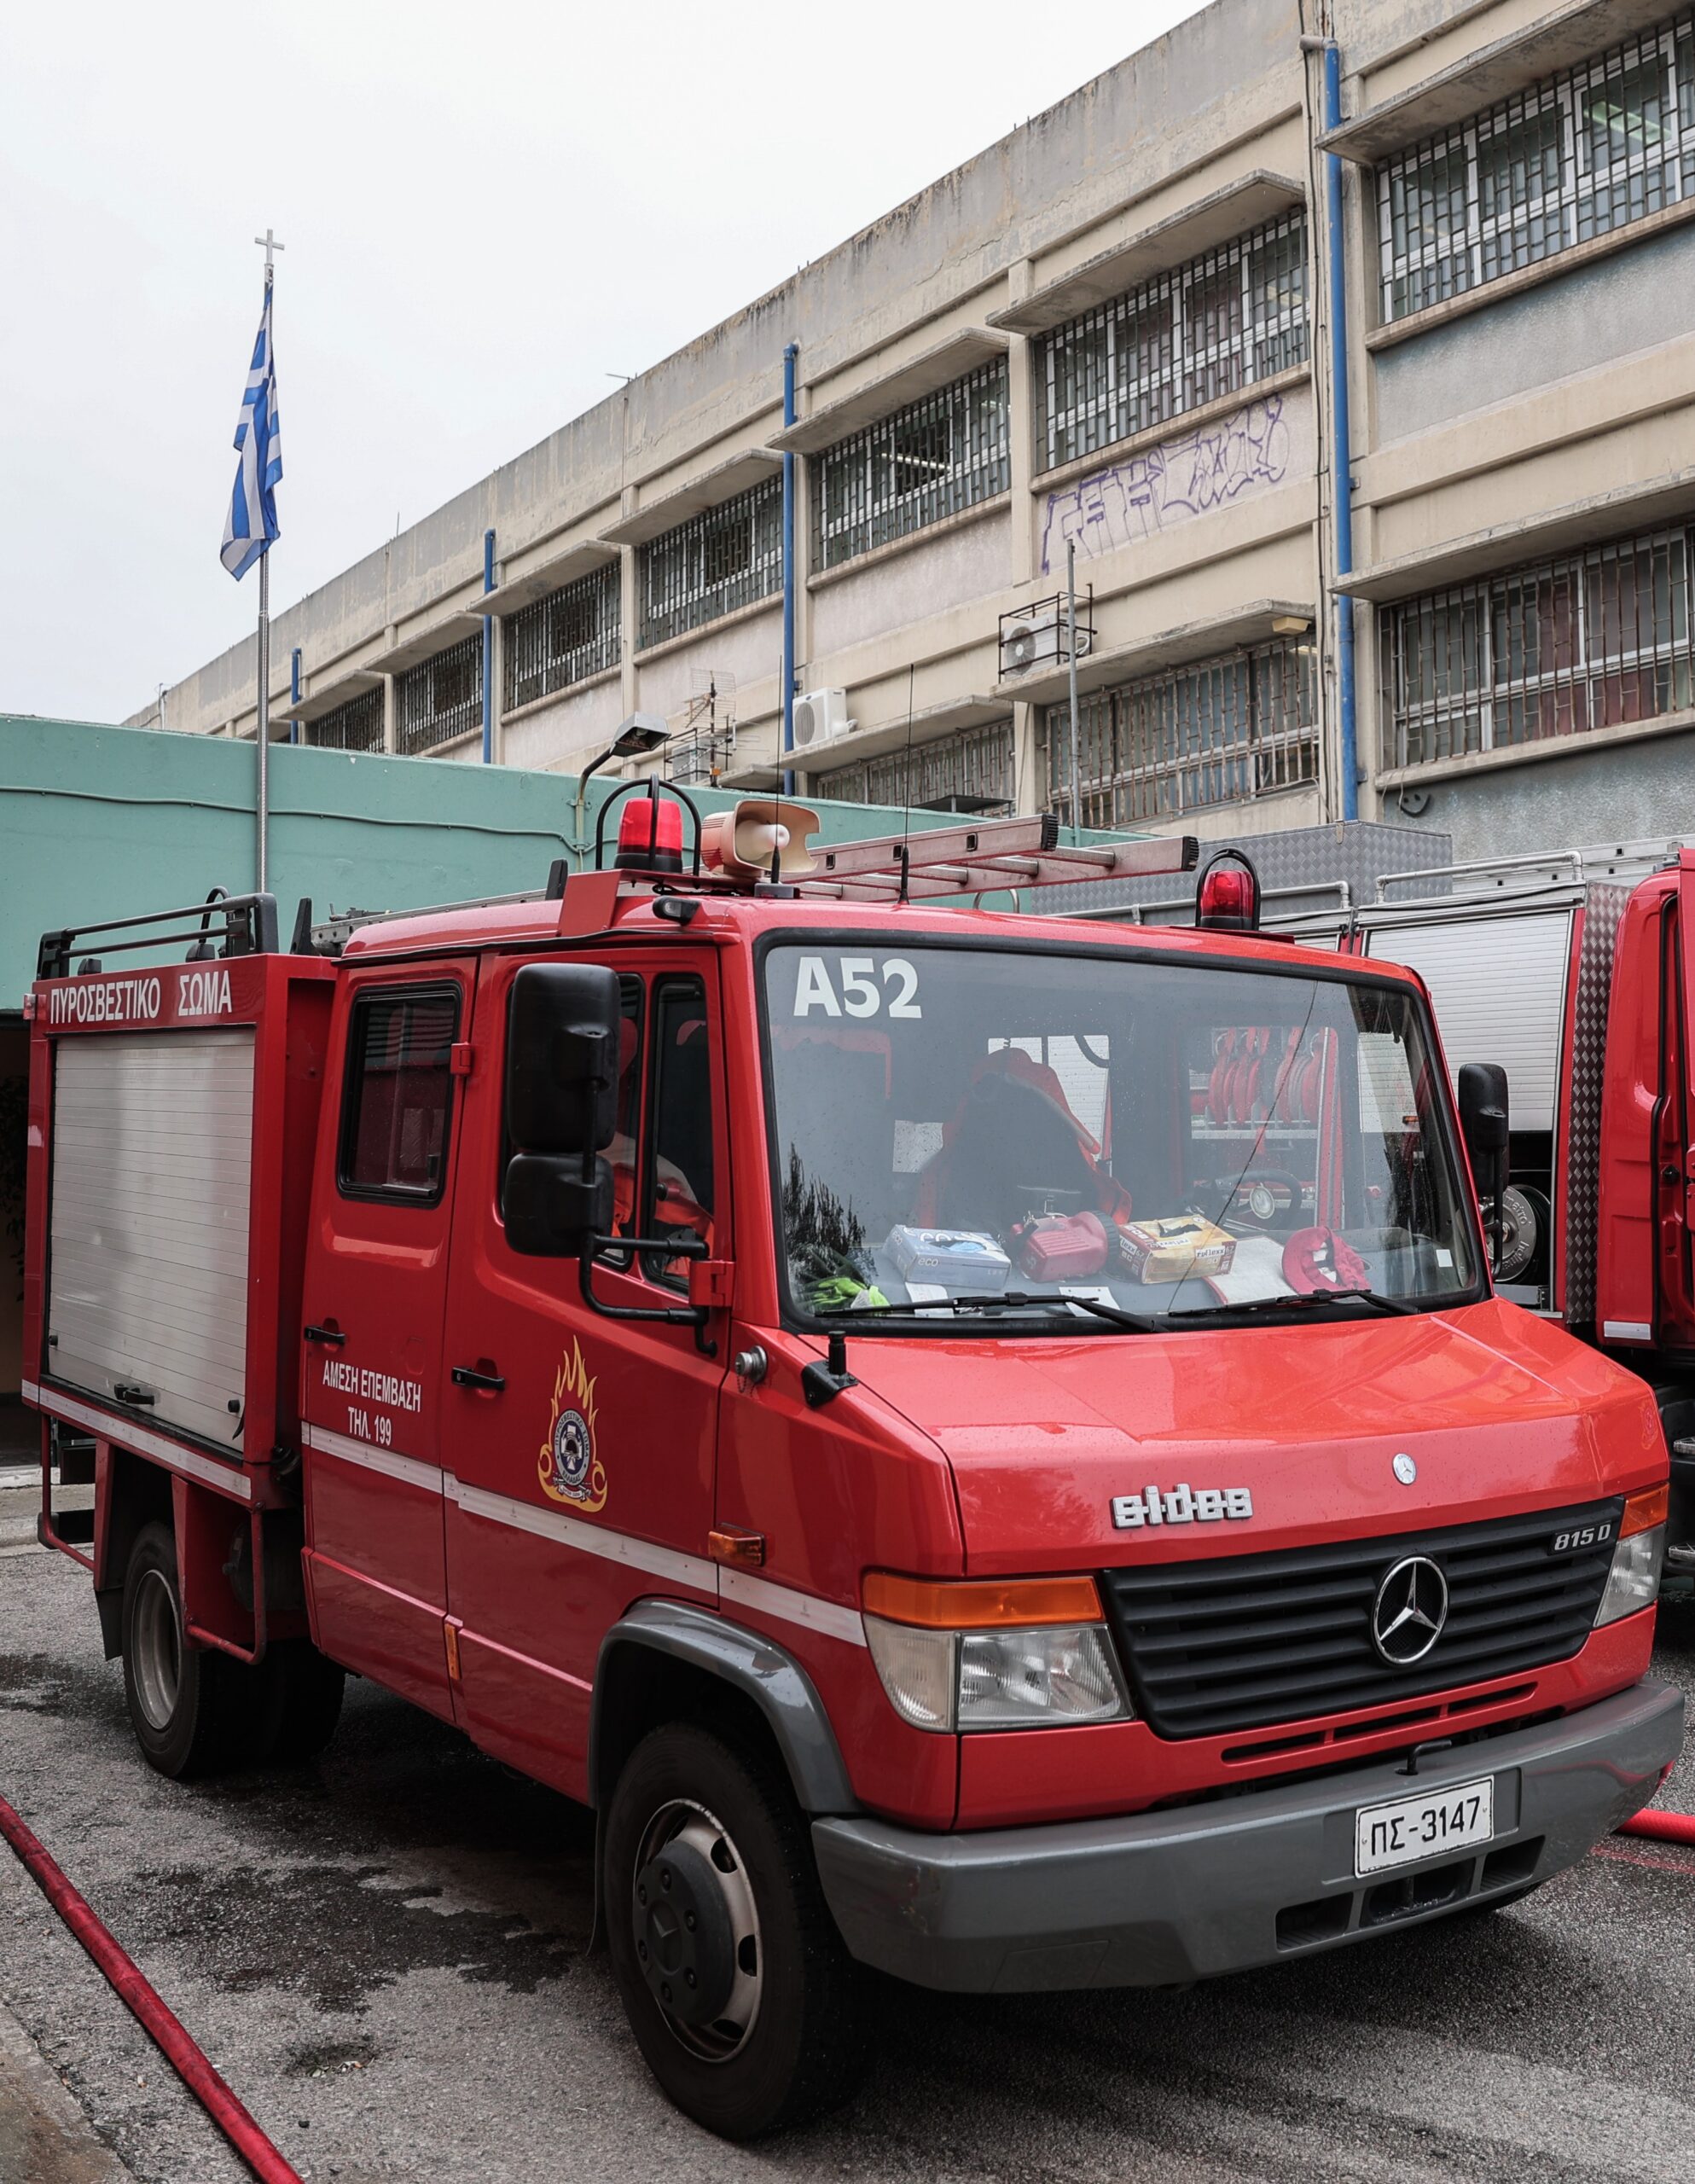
580	1449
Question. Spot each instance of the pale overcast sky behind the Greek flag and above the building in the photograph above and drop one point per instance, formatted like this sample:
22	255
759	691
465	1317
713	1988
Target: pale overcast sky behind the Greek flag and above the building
488	209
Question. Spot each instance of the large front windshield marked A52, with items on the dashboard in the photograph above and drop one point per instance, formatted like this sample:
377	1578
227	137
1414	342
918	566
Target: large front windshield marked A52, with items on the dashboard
1154	1137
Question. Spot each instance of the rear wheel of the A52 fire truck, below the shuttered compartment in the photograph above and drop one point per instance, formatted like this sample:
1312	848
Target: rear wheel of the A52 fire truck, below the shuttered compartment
185	1702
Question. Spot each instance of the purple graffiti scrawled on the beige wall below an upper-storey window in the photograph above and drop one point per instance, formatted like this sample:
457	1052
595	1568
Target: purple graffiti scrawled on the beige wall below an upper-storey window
1174	482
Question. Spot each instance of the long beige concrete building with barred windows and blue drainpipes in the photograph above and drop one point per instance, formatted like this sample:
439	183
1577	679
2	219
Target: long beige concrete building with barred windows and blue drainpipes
1113	335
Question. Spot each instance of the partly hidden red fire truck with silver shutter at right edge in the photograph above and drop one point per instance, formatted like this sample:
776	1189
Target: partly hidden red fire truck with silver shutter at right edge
1572	973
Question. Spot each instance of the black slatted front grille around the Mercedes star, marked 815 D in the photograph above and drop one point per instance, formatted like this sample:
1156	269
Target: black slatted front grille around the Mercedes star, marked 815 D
1253	1641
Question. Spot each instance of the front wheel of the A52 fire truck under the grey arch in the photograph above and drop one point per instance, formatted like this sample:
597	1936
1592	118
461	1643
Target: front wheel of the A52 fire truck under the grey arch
709	1879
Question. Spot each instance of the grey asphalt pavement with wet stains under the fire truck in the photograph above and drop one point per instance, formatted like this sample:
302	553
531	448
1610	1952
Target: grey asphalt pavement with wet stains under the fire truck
386	1956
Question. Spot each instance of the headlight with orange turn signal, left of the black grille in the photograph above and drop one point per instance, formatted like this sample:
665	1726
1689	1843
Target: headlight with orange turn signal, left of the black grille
977	1657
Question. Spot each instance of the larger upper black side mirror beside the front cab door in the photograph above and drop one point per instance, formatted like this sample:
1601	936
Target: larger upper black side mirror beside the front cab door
562	1058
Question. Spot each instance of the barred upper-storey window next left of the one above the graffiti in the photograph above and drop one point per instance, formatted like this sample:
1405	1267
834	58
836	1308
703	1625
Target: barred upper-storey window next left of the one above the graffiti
910	471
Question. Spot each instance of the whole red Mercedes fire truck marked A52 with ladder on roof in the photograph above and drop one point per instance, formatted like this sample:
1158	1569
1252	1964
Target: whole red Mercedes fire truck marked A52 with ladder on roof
846	1388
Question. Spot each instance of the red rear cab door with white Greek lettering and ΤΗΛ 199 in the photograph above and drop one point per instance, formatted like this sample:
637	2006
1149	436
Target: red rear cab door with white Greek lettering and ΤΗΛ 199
375	1298
